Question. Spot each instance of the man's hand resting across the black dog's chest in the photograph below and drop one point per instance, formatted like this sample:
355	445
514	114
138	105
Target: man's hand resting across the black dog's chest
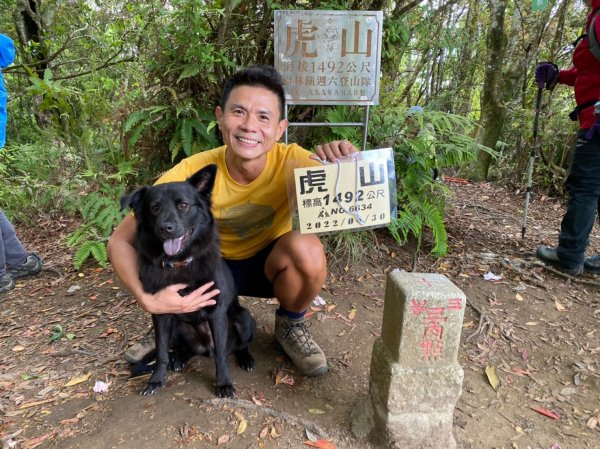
168	300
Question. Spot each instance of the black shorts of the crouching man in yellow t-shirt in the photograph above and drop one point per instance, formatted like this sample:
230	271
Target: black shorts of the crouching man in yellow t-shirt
249	274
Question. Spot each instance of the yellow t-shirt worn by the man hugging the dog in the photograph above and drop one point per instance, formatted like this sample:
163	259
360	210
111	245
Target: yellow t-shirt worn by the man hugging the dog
249	216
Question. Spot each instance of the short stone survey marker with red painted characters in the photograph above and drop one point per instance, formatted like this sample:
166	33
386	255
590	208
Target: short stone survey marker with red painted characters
415	379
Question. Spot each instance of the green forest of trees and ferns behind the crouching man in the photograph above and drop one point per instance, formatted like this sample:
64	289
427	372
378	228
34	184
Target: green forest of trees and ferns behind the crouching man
105	95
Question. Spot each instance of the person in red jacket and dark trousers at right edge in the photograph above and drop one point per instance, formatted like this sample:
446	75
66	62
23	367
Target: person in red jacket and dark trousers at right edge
583	181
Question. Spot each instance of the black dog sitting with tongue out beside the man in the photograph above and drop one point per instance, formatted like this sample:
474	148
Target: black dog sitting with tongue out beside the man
177	242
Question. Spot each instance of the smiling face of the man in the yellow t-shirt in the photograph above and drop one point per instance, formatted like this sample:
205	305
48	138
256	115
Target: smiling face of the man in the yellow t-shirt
250	122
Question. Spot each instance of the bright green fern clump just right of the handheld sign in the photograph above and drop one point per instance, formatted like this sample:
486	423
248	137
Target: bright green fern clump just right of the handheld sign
423	143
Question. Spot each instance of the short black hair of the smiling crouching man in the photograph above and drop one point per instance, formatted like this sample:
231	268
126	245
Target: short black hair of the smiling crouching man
258	76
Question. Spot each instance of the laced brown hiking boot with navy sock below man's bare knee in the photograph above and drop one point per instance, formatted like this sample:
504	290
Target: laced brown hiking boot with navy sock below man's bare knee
296	341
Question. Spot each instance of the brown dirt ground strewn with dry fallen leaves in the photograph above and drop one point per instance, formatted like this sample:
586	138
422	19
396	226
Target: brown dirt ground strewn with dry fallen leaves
63	331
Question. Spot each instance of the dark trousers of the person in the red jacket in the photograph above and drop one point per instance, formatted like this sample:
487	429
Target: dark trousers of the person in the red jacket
583	186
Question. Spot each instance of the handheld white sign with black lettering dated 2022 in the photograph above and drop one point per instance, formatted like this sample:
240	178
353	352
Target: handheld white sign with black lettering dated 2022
357	192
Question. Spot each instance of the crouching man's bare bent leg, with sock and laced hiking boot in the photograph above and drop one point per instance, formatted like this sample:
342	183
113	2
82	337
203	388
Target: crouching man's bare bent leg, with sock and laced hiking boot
297	268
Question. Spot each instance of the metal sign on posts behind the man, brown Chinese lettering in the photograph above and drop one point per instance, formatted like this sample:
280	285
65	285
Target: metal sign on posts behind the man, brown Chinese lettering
329	58
